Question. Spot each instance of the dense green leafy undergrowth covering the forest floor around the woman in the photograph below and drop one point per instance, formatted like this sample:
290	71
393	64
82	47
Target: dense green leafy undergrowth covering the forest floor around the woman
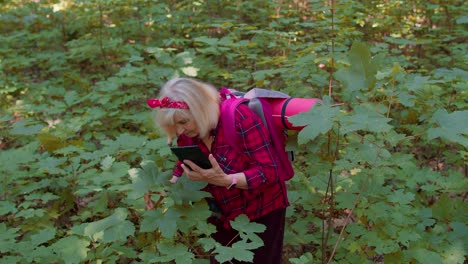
380	165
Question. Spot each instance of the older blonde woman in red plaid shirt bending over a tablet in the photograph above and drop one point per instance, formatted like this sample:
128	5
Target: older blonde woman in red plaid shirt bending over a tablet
245	182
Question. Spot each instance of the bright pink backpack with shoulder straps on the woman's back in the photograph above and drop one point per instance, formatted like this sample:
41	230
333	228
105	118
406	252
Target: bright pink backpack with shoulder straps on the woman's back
259	100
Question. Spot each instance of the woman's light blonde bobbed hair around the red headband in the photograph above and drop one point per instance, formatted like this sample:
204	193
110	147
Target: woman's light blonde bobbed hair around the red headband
202	99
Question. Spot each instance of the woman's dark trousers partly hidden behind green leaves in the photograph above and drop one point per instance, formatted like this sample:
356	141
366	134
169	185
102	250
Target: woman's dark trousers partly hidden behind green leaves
271	251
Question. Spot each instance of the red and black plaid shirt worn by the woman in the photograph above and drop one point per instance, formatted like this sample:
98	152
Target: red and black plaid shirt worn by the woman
265	191
